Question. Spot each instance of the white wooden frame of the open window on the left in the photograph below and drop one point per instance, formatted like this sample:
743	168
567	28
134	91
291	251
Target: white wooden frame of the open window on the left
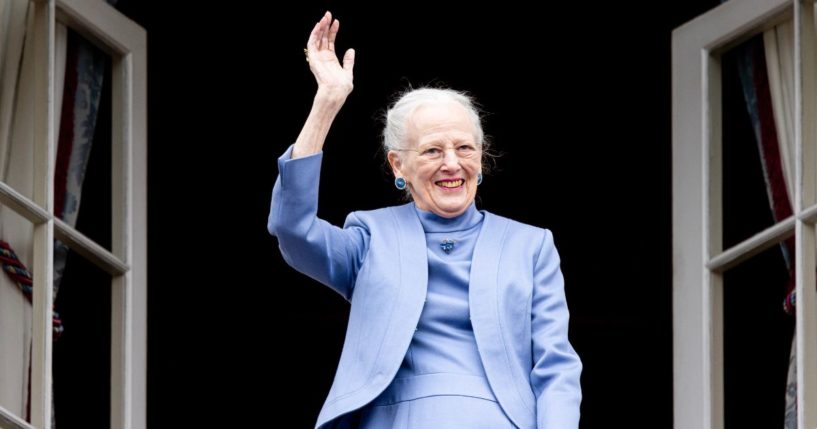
126	43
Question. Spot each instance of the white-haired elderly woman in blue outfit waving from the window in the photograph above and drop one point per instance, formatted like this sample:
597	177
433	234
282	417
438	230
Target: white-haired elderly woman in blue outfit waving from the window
458	316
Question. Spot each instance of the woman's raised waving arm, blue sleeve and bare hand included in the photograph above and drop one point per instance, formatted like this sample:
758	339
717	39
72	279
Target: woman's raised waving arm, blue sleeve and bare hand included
311	245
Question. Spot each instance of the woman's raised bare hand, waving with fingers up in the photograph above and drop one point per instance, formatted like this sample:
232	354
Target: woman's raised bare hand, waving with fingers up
334	80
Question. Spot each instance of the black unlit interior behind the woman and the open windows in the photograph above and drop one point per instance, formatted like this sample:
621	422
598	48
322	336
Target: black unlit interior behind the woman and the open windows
578	102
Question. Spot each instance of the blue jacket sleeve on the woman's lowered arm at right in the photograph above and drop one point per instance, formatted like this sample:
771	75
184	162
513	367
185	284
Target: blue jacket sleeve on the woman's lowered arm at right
556	366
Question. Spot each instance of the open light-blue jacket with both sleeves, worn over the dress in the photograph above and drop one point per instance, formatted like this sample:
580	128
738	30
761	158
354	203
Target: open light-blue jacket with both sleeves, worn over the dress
378	262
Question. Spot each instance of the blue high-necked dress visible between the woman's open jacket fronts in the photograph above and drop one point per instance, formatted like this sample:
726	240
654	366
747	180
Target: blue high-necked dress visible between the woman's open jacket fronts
441	382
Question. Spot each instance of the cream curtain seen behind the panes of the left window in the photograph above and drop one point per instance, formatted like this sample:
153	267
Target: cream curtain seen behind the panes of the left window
16	170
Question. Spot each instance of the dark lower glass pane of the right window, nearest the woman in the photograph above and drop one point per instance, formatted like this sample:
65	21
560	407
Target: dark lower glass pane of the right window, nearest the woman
757	340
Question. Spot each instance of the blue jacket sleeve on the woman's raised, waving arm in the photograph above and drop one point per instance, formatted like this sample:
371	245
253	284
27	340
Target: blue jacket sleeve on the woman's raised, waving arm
324	252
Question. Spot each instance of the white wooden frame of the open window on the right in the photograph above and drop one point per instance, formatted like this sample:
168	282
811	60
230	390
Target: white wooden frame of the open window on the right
699	259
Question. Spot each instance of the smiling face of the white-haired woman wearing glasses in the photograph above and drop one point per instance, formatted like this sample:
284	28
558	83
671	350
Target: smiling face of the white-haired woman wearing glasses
442	159
